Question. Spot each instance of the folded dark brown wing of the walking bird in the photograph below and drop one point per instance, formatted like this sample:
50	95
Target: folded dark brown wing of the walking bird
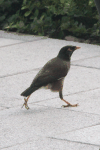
52	71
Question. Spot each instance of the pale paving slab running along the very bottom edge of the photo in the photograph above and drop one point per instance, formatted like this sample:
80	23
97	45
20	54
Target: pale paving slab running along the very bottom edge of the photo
50	144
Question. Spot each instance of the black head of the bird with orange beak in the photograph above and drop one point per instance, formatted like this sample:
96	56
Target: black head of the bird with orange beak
66	52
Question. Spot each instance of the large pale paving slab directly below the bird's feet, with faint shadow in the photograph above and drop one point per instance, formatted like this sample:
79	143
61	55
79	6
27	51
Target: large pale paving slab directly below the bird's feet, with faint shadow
18	126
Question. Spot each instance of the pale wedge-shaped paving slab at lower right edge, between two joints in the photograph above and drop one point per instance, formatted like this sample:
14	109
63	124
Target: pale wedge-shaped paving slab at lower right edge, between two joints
89	135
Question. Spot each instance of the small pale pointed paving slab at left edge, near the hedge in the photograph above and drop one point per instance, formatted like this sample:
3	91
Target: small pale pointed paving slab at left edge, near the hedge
7	42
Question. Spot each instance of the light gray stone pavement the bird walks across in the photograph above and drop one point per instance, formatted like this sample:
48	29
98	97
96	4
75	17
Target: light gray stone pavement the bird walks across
47	125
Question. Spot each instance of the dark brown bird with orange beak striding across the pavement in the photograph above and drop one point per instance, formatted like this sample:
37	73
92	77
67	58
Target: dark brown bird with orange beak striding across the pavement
52	75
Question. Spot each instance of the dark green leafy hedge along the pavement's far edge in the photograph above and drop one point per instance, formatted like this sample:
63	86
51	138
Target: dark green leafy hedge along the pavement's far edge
56	18
